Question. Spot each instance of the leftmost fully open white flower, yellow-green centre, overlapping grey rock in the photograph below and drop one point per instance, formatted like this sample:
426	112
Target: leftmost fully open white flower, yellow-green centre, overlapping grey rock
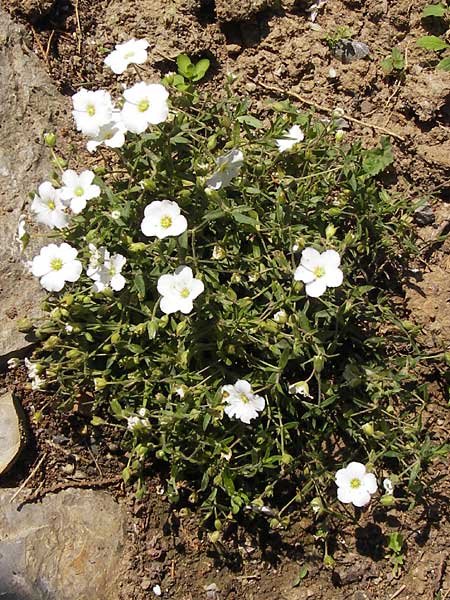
55	265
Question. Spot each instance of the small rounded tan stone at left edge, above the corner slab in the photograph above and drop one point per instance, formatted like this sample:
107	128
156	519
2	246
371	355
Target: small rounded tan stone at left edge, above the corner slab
11	433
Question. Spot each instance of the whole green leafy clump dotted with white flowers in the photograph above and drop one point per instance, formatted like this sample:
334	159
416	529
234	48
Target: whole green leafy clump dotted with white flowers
225	299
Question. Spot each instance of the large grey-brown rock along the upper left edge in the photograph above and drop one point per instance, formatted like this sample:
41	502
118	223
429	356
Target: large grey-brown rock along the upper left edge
29	106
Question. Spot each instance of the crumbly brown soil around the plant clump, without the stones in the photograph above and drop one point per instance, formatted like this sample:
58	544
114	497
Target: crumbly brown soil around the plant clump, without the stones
280	49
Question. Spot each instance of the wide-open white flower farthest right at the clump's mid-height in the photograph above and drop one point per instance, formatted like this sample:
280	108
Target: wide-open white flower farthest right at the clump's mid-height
319	271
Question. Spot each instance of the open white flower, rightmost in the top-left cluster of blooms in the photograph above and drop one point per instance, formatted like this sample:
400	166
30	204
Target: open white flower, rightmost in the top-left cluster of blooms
145	104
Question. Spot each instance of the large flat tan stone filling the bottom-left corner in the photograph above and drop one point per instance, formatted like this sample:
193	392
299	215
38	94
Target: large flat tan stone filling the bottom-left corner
69	546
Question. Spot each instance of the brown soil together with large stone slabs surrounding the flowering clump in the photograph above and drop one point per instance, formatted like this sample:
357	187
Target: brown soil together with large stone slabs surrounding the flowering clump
81	535
